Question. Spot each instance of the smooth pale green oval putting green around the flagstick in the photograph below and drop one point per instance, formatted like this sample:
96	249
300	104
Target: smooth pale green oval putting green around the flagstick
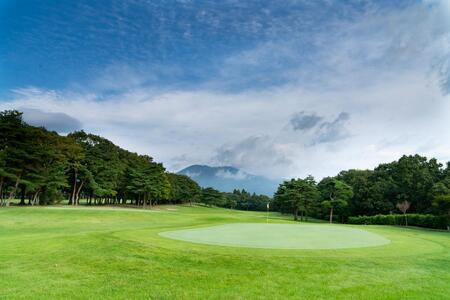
280	236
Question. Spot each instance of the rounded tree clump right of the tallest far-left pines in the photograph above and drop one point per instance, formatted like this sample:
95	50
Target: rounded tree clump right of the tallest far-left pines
111	175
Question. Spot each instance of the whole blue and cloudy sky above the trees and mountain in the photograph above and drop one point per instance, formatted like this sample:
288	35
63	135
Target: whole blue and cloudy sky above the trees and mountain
288	83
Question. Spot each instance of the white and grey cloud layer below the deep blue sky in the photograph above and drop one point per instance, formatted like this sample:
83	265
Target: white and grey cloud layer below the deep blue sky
375	87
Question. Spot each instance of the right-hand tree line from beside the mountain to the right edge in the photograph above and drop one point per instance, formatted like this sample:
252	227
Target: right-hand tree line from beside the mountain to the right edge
412	184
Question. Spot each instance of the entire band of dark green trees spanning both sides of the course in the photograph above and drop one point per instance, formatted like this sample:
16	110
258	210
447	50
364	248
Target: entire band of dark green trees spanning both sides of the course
40	167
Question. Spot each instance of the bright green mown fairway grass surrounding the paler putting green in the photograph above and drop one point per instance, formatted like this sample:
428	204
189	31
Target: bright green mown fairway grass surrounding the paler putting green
118	253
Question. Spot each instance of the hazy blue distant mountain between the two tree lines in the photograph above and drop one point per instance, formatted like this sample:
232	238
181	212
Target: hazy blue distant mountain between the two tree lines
226	179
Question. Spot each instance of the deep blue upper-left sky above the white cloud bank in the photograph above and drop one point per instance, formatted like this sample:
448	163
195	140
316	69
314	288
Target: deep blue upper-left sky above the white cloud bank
58	44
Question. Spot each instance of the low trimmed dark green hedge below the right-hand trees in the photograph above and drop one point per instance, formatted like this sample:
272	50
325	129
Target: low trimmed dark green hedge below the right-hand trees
428	221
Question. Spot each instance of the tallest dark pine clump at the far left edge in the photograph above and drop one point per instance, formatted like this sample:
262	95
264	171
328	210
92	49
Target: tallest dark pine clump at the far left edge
32	160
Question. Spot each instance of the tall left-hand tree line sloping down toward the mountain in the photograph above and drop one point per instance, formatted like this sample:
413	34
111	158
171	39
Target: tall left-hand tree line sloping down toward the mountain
41	167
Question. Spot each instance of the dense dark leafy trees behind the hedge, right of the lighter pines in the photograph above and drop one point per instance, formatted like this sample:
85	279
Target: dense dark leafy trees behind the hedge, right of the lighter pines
412	178
